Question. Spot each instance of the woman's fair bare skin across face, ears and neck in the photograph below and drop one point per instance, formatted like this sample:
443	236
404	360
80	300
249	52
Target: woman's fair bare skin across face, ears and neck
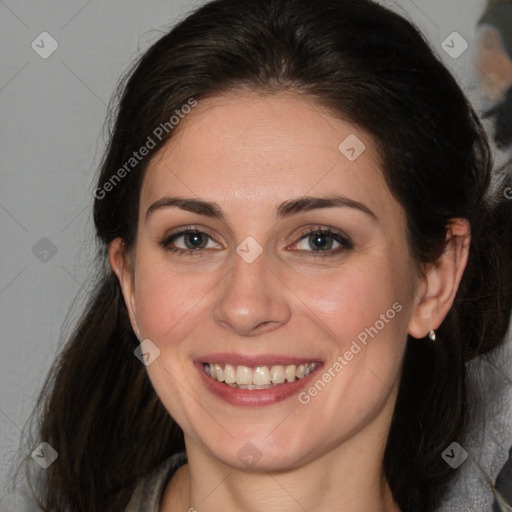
250	153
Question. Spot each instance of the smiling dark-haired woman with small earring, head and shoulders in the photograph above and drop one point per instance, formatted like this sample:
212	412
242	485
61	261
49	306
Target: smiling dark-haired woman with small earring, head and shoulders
302	257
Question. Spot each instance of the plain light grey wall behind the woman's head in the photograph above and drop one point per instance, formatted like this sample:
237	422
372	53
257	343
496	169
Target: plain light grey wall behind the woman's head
52	112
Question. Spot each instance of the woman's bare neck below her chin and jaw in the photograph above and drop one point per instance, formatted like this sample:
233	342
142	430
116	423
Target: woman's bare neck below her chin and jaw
347	478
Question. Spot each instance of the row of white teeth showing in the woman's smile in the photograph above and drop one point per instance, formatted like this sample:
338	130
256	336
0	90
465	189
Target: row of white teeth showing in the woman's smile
257	377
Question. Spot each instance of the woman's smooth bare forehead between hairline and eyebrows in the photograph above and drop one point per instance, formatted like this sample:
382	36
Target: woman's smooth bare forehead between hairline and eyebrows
246	150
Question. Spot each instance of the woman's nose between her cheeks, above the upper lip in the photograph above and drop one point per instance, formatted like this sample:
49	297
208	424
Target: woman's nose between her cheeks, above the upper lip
251	298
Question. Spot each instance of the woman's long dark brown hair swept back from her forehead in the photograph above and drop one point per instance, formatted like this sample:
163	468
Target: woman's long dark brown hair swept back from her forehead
369	66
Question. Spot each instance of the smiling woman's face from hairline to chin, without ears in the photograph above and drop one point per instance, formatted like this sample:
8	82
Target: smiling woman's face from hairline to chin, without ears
297	260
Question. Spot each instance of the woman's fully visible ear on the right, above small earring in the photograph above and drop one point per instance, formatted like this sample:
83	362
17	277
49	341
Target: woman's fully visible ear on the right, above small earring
438	287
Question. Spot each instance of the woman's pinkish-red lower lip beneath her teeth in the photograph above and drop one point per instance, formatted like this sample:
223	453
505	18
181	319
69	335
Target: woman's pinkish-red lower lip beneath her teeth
254	397
